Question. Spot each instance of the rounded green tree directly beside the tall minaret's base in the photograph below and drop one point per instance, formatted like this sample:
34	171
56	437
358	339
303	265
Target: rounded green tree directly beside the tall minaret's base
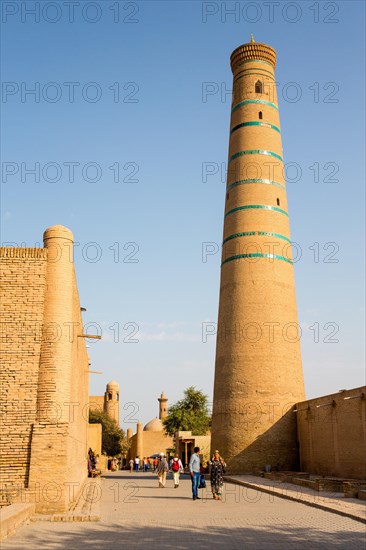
189	414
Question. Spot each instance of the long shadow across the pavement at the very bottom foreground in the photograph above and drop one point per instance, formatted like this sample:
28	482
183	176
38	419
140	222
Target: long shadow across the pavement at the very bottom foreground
183	537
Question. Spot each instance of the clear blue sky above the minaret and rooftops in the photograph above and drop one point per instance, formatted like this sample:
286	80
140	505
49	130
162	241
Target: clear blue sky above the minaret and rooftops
161	131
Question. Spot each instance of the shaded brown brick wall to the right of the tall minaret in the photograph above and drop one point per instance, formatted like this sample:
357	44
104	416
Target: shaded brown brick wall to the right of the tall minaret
332	434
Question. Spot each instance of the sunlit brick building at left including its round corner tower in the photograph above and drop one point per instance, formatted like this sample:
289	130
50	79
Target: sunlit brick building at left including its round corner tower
46	374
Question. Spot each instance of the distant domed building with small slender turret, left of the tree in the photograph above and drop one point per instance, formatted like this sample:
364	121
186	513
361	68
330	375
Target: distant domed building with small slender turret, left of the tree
151	439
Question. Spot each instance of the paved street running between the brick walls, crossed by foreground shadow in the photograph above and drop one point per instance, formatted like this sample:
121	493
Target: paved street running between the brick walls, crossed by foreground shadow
135	513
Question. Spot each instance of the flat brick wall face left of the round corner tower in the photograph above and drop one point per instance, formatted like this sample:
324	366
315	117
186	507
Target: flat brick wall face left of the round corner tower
23	281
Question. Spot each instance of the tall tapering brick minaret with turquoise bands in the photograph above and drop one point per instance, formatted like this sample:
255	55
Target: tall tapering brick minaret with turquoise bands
258	372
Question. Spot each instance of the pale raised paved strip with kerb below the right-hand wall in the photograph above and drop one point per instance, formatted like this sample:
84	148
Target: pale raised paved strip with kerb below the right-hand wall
332	502
